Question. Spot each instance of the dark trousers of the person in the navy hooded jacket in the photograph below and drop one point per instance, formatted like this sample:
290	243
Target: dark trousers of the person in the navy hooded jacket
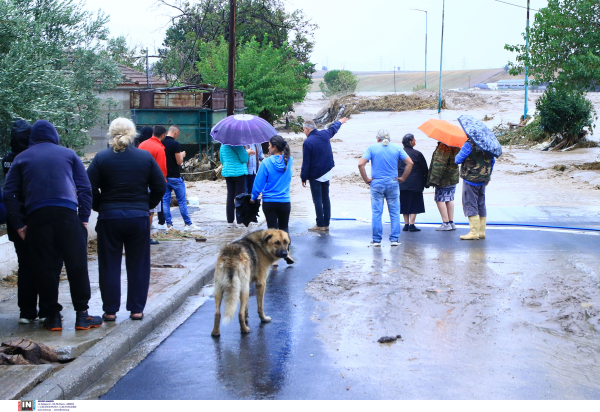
53	232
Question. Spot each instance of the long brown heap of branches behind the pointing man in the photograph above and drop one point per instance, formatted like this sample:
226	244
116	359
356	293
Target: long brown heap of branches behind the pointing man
351	104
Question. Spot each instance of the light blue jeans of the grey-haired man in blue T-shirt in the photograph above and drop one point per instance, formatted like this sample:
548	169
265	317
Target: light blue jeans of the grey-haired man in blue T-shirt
390	191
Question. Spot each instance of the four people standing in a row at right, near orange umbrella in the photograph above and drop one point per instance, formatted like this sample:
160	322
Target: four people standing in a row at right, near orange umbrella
407	166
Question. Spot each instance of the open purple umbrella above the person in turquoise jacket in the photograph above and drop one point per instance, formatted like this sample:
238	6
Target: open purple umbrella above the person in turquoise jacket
242	129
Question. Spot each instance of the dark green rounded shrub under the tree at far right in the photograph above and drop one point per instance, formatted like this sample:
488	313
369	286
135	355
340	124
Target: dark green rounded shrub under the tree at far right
566	113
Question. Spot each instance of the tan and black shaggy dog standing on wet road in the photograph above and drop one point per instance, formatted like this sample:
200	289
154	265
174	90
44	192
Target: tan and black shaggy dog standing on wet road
239	264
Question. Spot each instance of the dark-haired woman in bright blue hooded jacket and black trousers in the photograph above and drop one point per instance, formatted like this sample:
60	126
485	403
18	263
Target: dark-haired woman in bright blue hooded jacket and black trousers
273	180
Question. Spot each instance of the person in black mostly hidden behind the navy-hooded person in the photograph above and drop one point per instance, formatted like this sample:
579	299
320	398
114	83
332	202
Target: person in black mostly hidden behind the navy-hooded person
27	295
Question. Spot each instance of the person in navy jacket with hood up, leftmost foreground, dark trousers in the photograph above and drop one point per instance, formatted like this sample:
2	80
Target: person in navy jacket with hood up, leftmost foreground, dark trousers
48	200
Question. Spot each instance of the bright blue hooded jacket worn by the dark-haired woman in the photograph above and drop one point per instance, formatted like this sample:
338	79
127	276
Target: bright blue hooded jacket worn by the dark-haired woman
273	180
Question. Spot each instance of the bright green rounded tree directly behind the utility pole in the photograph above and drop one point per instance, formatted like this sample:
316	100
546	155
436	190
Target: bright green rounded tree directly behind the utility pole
271	79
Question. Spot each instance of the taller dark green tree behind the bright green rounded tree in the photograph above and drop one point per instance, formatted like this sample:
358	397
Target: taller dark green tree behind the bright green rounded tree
208	21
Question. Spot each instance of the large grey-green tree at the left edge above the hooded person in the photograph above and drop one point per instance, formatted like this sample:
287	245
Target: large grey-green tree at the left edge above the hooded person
52	66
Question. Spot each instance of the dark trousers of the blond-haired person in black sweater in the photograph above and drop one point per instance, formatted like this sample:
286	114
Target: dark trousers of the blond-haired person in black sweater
134	234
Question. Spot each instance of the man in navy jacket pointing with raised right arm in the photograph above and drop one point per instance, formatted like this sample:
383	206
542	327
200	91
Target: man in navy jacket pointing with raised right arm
317	163
